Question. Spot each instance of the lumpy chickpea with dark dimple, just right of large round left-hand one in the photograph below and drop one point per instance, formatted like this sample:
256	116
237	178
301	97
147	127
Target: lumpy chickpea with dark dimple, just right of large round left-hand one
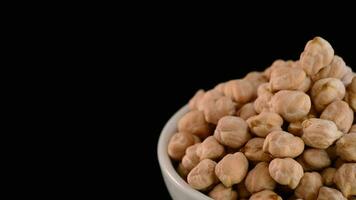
265	123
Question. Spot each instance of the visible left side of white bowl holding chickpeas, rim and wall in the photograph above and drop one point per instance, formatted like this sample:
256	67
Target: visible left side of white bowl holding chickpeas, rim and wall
177	187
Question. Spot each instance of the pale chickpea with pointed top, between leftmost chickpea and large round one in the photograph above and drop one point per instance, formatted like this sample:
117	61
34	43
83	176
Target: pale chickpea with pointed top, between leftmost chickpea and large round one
210	149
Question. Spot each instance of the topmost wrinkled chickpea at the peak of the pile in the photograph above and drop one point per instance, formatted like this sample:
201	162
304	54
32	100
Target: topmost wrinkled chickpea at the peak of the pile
317	54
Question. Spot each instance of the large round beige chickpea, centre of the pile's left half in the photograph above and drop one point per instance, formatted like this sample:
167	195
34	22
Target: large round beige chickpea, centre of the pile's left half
232	131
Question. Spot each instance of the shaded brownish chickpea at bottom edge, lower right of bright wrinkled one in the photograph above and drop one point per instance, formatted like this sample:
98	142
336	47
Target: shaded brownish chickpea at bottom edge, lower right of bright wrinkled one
309	186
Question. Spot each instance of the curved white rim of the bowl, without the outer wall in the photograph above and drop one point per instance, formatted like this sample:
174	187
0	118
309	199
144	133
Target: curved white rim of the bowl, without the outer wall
164	161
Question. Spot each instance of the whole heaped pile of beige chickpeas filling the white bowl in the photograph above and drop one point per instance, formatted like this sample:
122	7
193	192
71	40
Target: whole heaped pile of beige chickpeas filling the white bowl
286	132
